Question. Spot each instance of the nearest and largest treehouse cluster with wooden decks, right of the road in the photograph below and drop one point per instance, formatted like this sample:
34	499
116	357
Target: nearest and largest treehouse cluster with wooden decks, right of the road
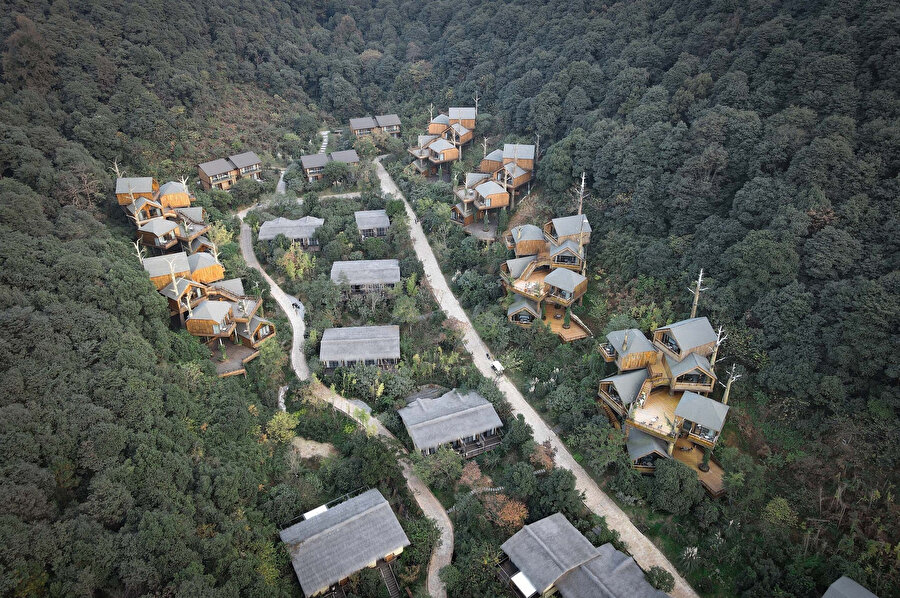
657	396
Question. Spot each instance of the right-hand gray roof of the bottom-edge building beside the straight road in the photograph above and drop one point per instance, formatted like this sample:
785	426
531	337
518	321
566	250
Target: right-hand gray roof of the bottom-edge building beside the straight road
610	574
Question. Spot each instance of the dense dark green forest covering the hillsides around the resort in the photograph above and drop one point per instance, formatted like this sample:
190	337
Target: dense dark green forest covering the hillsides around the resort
759	141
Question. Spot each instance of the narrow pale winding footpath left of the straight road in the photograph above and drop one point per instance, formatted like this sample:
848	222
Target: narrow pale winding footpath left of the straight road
429	504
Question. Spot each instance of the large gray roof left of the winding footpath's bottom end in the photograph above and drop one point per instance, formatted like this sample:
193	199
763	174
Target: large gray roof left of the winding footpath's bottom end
342	540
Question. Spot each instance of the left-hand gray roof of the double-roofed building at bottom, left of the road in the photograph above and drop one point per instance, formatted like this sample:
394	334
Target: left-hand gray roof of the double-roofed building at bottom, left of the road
547	549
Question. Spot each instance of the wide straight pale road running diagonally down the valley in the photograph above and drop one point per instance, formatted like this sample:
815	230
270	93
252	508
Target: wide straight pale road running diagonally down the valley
644	551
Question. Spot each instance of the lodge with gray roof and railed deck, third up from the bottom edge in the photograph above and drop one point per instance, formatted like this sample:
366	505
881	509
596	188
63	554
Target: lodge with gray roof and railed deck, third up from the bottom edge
467	423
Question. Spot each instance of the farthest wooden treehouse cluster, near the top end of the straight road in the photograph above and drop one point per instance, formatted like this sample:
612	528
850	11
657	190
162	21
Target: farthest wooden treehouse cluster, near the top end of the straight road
442	144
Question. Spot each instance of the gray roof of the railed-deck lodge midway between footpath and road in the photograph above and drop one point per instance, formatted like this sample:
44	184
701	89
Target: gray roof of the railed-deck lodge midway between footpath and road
453	416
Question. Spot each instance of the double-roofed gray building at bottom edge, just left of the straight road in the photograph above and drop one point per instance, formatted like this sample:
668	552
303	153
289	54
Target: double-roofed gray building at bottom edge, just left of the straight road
551	557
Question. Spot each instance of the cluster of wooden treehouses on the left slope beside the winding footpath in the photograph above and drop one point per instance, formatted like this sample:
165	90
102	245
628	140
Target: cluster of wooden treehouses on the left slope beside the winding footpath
184	267
